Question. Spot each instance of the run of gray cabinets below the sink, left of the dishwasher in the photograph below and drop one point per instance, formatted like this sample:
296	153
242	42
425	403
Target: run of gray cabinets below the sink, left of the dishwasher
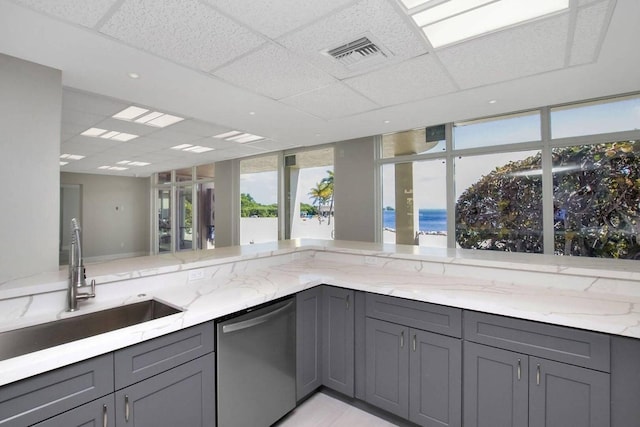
165	379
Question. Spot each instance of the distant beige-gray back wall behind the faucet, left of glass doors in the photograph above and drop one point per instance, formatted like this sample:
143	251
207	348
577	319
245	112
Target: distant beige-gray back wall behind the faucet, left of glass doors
107	232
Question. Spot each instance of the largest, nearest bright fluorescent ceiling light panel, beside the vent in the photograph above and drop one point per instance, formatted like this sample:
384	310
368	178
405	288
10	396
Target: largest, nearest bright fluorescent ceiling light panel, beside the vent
479	18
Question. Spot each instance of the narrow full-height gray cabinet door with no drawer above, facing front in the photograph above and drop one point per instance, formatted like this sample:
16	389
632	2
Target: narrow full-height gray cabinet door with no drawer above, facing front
338	340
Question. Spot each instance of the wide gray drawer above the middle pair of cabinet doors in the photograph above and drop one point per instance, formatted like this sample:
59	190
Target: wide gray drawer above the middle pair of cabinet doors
416	314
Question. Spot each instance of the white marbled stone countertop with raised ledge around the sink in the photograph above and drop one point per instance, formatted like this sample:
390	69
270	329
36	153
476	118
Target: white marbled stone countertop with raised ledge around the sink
596	295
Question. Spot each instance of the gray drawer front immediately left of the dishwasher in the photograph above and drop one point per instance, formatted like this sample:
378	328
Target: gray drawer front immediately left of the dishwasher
141	361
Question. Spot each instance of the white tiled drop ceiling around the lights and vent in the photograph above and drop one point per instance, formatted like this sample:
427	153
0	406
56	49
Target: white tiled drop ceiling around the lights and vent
259	67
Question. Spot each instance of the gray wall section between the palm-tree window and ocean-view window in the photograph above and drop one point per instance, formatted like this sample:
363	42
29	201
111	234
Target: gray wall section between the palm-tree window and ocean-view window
355	190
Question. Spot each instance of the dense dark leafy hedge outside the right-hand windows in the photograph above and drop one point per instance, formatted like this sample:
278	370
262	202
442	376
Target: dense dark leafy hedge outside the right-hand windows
596	191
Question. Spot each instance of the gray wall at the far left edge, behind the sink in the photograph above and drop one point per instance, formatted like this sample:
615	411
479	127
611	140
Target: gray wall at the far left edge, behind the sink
30	114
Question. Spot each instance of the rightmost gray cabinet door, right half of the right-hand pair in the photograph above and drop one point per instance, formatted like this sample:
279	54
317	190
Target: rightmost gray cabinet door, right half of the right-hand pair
563	395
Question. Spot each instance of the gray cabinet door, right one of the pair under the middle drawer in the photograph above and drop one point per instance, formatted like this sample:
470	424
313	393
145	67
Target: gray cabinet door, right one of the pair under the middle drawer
435	380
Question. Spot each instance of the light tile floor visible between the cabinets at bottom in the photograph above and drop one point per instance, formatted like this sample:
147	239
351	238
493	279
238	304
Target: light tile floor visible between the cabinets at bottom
321	410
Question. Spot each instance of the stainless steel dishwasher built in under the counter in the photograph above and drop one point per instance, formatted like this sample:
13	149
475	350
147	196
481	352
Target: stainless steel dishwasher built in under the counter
256	366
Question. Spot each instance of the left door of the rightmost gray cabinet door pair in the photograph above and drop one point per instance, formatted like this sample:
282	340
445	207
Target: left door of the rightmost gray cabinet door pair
495	387
